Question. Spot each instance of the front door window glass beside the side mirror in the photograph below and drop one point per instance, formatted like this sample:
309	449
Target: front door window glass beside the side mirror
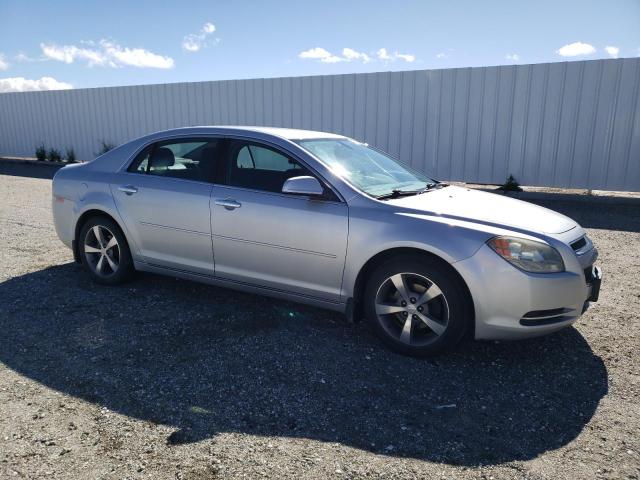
261	168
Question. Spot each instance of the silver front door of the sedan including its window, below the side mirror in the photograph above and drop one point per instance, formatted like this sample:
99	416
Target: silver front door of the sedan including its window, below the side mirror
280	241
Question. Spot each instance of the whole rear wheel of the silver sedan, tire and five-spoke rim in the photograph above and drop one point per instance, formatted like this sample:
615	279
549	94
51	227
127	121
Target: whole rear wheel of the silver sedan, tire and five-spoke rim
108	261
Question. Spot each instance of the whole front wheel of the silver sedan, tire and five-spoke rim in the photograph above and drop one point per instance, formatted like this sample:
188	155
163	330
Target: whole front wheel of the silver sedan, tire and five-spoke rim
417	306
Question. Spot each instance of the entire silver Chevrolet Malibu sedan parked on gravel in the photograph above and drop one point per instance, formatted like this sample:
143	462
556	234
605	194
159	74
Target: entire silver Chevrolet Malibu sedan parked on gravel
325	220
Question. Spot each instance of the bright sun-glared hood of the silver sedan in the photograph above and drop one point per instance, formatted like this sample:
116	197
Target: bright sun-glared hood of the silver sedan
487	208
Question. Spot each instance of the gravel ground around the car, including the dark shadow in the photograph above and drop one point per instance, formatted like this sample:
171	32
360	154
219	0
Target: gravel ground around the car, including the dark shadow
164	378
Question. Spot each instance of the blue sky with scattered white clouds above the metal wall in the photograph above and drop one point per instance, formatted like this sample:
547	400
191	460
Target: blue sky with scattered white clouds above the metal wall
92	44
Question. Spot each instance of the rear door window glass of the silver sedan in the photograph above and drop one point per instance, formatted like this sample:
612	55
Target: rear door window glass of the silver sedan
185	159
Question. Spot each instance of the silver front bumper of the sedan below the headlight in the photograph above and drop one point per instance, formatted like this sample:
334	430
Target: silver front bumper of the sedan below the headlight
512	304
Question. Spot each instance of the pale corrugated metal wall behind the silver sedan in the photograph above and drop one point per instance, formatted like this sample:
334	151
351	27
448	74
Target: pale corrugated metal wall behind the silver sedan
573	124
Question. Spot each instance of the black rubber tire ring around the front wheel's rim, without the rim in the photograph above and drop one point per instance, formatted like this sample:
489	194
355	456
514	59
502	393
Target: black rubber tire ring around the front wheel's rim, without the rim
455	293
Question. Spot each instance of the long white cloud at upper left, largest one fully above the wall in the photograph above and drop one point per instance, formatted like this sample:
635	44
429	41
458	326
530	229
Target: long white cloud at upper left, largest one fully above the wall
107	53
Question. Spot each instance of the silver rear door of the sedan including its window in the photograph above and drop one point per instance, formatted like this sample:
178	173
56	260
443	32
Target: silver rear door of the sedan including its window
163	198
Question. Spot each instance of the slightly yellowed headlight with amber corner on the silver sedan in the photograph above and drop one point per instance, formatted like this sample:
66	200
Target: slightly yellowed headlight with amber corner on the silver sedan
528	255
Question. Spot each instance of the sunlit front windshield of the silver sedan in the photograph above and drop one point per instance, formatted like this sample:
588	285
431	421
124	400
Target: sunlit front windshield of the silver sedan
367	169
